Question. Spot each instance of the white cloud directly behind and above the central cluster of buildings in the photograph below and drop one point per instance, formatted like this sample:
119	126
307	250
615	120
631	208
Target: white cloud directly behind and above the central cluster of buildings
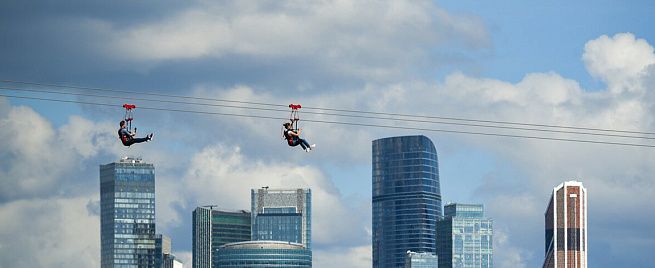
222	175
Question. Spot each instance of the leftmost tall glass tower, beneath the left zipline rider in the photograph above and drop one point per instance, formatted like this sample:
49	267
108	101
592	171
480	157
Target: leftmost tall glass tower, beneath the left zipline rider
127	214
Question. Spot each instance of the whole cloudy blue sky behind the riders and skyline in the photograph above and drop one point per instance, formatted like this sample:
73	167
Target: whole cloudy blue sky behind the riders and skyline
587	64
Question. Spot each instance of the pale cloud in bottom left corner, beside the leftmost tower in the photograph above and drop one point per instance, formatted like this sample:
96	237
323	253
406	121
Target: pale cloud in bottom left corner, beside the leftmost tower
49	233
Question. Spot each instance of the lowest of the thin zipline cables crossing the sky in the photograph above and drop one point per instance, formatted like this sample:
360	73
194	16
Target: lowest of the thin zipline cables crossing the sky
348	123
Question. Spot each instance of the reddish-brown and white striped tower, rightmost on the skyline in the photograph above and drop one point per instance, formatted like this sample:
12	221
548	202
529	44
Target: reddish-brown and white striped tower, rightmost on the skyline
566	227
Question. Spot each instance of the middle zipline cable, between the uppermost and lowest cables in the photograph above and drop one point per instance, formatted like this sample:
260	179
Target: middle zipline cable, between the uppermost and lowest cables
332	114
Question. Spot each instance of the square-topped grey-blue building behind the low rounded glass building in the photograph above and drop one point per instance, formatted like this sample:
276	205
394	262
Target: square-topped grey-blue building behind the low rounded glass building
282	215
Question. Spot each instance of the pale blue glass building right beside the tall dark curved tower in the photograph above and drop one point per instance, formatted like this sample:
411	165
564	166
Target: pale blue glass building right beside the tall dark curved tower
465	237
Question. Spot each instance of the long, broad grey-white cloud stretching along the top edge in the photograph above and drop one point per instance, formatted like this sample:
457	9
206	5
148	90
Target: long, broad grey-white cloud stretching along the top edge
367	39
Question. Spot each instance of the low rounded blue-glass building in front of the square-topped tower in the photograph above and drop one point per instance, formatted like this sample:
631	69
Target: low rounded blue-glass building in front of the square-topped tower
254	254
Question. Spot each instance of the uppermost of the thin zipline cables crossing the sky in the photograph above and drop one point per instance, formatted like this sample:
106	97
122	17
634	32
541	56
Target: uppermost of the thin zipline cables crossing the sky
330	109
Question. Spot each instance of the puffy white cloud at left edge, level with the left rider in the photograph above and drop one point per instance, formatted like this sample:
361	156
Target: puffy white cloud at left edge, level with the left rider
38	160
